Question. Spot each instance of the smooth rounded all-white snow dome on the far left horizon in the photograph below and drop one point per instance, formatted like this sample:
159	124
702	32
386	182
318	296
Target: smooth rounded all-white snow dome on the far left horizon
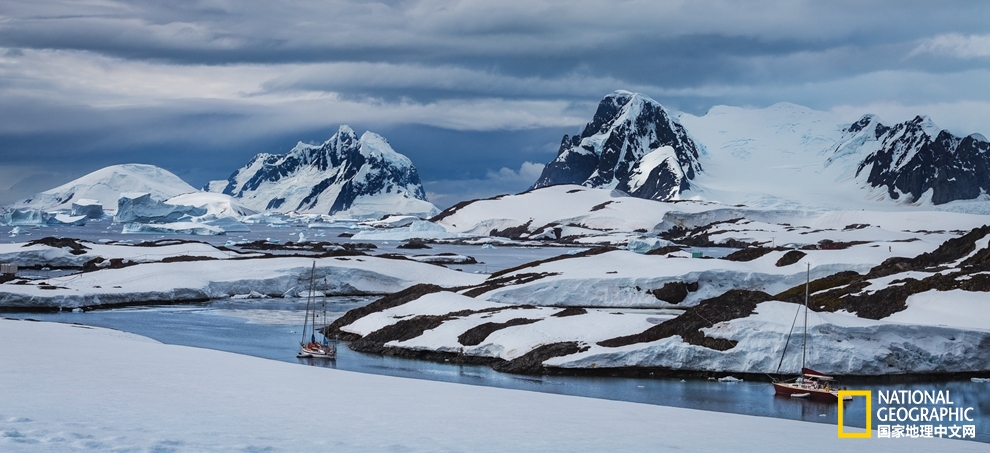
105	186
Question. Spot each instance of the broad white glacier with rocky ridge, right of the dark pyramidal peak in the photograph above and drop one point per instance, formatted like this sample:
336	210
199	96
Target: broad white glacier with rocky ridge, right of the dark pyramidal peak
789	156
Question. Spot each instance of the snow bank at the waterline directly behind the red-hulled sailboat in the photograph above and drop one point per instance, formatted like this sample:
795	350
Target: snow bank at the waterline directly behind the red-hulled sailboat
839	343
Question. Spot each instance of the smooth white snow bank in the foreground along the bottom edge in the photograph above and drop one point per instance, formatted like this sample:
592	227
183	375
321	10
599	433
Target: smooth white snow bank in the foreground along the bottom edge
207	400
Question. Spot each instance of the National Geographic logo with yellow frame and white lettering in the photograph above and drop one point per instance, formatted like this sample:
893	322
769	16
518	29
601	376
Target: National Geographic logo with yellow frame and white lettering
911	414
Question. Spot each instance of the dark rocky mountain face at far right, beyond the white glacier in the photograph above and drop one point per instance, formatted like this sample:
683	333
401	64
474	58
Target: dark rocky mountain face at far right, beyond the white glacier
911	161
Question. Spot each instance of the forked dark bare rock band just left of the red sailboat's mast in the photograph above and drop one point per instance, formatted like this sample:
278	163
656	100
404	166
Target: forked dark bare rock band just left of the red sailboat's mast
733	304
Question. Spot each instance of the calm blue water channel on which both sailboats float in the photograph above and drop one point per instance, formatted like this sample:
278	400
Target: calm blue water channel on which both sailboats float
271	328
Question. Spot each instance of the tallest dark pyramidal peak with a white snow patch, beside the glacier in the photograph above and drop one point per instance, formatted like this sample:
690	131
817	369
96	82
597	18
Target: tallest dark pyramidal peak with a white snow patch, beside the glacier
633	145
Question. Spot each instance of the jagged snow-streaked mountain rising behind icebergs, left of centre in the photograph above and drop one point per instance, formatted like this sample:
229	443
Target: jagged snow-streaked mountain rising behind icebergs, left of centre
346	175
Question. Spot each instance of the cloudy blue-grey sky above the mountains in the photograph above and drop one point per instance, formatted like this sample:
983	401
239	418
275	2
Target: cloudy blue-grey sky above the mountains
477	93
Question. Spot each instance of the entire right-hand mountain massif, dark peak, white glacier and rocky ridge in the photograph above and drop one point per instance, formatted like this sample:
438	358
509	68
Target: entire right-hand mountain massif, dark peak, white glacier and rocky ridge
782	156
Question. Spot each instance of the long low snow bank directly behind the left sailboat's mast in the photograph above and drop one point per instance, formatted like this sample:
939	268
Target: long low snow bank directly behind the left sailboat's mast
203	280
